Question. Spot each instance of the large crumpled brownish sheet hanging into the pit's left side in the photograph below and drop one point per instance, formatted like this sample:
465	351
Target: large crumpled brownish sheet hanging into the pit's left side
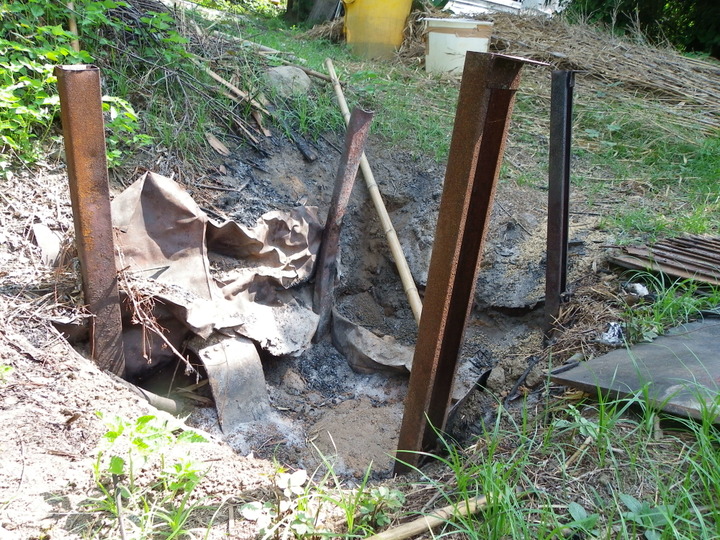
166	238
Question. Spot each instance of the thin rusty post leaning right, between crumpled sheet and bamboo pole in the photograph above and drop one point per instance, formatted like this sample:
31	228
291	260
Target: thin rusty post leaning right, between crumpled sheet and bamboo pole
355	137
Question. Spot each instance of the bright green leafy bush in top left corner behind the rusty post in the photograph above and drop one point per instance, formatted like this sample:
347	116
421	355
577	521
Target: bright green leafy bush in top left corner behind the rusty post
33	42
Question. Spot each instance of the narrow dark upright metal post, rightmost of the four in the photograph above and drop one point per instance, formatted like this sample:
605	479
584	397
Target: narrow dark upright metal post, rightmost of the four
558	194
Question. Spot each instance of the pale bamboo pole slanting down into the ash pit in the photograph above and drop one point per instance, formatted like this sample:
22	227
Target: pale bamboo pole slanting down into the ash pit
395	248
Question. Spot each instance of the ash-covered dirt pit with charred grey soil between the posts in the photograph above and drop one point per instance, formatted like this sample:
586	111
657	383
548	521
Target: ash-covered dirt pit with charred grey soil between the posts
323	412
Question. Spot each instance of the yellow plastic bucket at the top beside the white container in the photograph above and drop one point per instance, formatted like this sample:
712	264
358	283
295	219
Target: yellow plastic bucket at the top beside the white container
374	28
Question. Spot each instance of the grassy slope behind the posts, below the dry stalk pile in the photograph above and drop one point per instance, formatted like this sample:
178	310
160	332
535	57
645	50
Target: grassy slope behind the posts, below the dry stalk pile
627	146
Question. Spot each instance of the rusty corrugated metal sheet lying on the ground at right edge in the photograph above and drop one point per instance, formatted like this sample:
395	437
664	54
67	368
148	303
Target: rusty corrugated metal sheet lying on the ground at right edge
692	257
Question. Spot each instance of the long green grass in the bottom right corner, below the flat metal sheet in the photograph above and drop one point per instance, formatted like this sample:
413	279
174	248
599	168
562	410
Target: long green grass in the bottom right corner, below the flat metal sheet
603	469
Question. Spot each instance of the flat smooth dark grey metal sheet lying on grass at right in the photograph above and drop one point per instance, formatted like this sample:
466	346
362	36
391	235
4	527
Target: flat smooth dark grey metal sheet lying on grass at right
681	370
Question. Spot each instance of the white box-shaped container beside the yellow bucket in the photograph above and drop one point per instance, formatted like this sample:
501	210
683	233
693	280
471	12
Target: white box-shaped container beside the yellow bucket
448	40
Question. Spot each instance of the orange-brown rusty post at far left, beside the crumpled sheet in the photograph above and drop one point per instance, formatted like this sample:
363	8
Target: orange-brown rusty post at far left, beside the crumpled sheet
84	133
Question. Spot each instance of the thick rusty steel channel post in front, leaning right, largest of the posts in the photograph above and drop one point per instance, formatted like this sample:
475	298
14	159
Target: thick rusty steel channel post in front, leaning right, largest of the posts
487	95
